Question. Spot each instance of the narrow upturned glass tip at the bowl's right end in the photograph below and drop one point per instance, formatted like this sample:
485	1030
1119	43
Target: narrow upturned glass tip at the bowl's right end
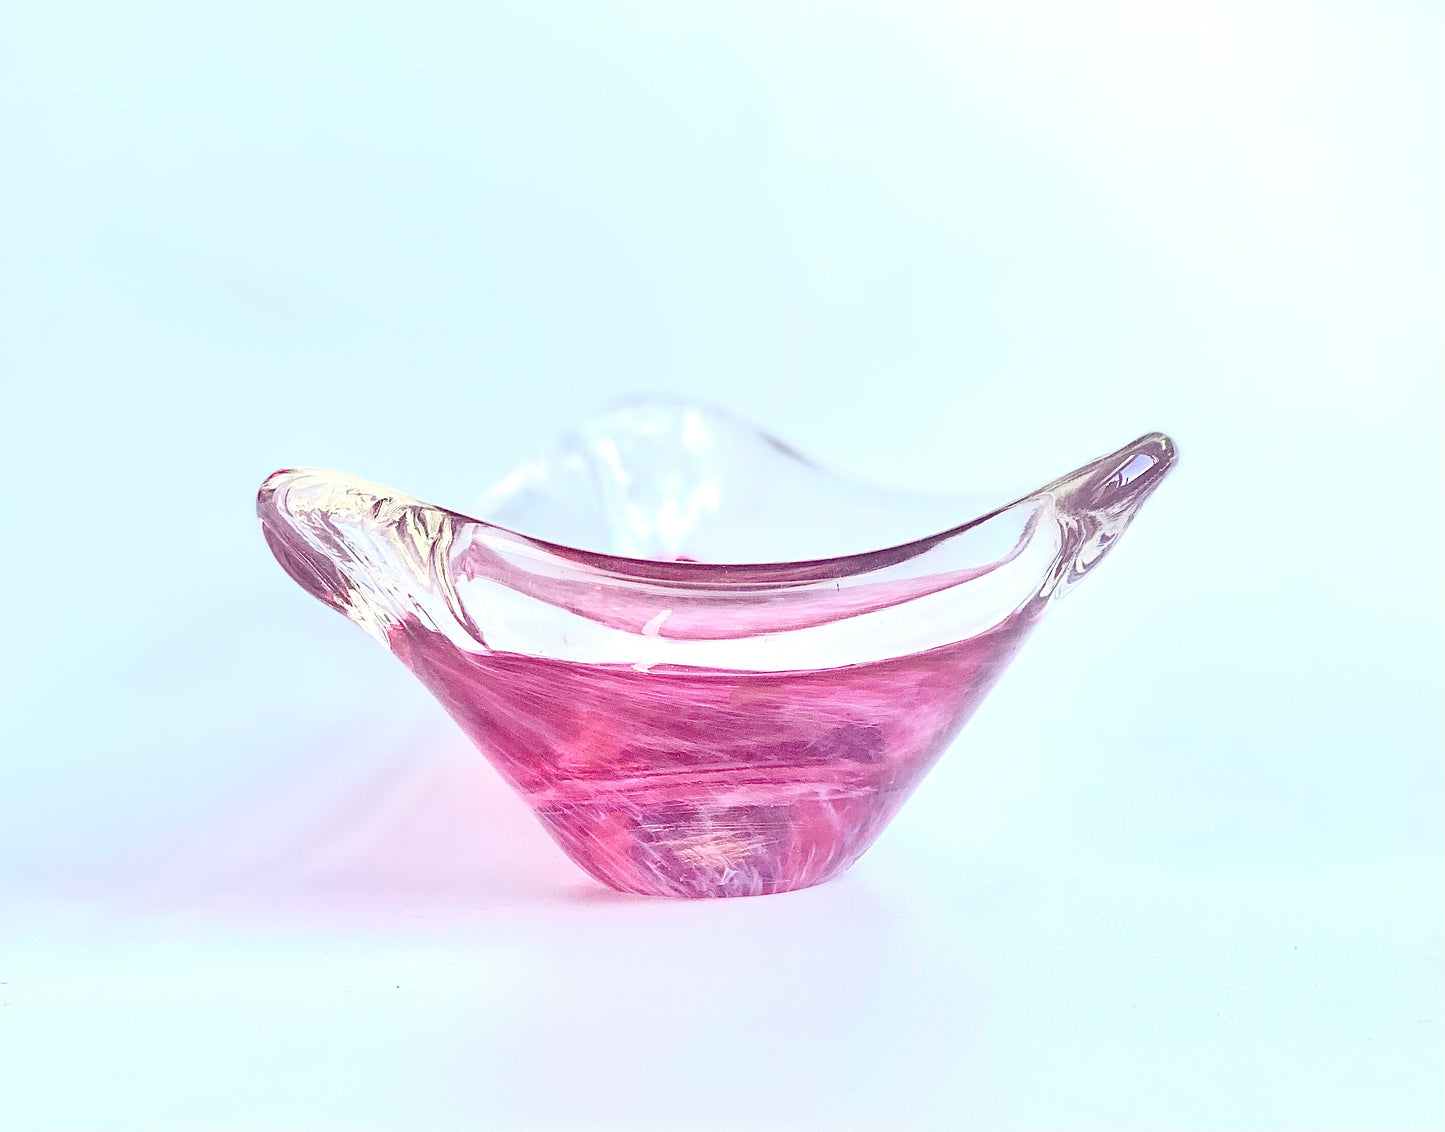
1097	504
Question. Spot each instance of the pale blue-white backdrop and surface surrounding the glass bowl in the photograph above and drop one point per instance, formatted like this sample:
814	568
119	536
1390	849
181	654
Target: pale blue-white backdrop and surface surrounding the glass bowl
1183	871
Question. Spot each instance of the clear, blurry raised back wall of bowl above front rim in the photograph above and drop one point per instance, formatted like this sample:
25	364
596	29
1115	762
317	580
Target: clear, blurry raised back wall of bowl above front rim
680	482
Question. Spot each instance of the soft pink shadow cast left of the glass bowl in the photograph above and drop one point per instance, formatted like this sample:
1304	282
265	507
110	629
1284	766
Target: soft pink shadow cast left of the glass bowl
414	825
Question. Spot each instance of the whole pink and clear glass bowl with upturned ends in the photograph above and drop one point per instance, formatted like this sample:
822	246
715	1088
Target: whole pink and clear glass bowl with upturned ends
697	666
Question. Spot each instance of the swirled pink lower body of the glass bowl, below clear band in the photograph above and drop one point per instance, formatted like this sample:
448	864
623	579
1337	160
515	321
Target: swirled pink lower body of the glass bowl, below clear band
697	783
